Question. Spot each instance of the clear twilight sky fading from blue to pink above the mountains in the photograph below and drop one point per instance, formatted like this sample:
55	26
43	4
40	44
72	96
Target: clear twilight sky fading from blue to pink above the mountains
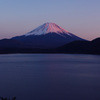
80	17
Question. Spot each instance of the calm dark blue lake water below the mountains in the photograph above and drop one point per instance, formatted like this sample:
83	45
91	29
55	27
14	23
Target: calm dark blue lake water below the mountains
50	76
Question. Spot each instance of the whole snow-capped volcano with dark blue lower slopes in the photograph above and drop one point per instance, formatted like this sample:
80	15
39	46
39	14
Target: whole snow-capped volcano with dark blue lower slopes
48	35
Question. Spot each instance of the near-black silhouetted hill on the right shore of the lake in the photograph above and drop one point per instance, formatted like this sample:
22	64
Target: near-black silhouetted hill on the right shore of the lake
83	47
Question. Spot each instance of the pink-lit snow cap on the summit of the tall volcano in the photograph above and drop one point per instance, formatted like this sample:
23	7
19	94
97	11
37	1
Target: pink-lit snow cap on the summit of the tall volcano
47	28
